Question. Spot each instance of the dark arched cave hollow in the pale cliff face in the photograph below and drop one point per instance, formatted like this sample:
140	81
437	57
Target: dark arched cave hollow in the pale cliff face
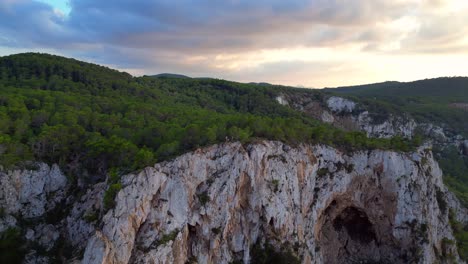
348	234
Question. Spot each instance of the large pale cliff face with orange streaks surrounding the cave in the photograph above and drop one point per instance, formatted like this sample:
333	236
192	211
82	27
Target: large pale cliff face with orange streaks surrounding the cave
214	204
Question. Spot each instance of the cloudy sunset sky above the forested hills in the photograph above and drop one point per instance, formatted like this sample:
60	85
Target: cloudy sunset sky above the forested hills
310	43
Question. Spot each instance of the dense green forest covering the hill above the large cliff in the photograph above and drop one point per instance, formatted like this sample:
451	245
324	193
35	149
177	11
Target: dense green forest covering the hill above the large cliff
90	119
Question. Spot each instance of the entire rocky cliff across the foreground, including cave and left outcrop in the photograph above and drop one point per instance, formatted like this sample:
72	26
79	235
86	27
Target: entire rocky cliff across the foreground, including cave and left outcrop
234	203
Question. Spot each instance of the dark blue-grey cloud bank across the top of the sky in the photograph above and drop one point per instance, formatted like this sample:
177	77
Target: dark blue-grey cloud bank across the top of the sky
204	25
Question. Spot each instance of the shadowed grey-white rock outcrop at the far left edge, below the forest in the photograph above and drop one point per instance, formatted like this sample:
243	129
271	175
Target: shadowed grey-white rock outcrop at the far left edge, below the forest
27	198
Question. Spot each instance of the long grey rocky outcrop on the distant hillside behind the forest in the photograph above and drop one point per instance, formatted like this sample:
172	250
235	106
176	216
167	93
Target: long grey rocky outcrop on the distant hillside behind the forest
349	115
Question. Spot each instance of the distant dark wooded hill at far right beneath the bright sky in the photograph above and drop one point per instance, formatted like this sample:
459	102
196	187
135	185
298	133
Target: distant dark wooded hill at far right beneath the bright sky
440	100
